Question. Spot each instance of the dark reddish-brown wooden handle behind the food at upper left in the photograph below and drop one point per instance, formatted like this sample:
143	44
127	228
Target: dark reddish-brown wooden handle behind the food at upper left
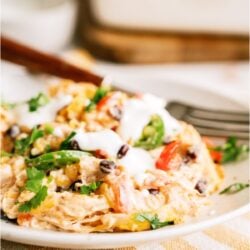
41	62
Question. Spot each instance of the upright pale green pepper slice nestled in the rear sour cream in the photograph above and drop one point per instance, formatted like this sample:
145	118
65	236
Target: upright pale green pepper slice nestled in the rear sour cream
152	134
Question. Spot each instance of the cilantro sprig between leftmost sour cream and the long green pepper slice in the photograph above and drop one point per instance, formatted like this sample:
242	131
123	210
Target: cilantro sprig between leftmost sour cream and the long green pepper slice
22	145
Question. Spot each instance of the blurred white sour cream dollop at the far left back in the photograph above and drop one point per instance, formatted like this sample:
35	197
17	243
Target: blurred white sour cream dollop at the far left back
43	114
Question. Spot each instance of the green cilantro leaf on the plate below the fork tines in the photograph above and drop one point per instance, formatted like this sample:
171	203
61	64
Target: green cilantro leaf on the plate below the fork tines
231	151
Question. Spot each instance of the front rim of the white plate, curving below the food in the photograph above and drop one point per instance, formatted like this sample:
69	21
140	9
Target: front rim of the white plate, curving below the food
76	240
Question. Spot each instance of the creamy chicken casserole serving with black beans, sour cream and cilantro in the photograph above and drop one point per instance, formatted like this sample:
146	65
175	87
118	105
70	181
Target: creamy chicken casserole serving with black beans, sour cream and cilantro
86	159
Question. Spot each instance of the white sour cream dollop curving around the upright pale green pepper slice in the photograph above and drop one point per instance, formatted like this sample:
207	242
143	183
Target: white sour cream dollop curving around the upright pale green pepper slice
137	114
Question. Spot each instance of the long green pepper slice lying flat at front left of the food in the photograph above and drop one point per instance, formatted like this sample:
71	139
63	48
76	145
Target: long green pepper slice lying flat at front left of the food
55	159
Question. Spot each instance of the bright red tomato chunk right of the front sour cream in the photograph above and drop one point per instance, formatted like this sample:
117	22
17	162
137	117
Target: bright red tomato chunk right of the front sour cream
169	155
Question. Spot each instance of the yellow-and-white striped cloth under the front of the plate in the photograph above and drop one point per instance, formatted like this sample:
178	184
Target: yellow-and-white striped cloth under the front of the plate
234	234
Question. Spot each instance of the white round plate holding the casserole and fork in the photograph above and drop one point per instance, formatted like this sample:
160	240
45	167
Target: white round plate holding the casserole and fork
225	207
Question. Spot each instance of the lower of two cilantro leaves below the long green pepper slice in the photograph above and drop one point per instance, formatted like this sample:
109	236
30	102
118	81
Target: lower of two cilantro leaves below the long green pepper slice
35	201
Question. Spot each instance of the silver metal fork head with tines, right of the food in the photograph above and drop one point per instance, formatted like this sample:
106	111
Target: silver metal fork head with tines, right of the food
211	122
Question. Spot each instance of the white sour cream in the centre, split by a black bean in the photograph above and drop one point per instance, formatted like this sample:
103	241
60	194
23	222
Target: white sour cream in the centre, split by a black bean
136	161
